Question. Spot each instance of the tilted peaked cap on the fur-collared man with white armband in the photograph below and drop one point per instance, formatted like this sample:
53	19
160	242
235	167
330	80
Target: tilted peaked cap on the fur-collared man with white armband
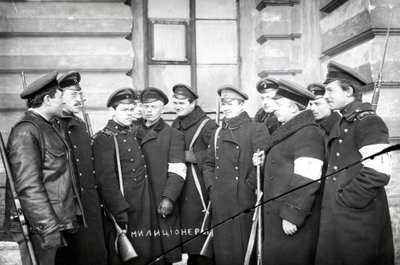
294	92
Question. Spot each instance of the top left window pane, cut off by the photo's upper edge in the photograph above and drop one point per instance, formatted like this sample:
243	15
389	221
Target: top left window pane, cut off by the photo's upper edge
168	9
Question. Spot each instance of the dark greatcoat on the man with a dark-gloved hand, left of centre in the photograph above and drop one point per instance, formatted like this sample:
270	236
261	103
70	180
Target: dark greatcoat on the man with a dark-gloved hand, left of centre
161	144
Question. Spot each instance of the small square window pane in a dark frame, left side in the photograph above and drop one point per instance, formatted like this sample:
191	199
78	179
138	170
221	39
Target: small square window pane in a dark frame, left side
169	42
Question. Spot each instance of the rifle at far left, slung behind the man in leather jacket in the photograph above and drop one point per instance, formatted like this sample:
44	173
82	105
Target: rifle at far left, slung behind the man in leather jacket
19	212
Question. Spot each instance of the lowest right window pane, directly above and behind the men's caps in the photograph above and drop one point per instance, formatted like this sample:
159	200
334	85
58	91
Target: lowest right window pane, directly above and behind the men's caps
209	79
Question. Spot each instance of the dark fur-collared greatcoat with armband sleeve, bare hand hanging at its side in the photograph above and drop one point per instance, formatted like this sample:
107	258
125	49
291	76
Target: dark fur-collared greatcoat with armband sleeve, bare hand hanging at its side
299	137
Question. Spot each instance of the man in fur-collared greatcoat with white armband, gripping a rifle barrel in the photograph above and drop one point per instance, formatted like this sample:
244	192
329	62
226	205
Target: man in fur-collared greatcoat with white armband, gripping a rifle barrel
294	157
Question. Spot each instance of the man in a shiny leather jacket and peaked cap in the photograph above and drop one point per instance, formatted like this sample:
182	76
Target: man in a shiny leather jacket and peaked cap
41	169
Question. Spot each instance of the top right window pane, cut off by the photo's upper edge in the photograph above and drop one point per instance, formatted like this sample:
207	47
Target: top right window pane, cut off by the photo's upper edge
221	9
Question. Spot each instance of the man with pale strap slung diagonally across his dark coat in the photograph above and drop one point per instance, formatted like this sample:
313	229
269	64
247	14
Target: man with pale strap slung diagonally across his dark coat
197	128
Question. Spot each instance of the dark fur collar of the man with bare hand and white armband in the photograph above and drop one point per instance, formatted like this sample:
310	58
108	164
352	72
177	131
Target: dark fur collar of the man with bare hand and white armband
301	120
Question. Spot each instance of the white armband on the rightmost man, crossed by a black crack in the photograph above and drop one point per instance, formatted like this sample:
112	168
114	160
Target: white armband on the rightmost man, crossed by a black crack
381	163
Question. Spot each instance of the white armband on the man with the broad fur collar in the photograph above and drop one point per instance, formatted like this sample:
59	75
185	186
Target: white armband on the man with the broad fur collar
308	167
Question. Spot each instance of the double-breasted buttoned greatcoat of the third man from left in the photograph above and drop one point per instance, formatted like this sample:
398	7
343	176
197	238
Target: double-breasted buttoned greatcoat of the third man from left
136	200
